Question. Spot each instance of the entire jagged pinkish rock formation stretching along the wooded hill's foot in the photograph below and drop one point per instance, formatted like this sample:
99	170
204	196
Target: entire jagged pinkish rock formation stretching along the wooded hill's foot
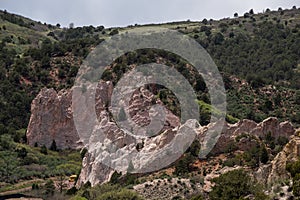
111	147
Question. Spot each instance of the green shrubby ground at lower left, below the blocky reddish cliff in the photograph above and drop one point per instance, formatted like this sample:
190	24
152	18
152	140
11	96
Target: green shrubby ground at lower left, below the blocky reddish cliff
21	162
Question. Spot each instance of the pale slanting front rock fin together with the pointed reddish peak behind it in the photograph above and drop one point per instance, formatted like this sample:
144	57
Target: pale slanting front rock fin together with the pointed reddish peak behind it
113	147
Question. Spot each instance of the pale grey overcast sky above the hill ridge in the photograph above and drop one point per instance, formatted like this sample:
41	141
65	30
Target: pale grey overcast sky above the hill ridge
112	13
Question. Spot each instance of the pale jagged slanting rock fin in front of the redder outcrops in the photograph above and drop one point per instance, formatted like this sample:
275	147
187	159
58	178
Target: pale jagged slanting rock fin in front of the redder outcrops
119	151
